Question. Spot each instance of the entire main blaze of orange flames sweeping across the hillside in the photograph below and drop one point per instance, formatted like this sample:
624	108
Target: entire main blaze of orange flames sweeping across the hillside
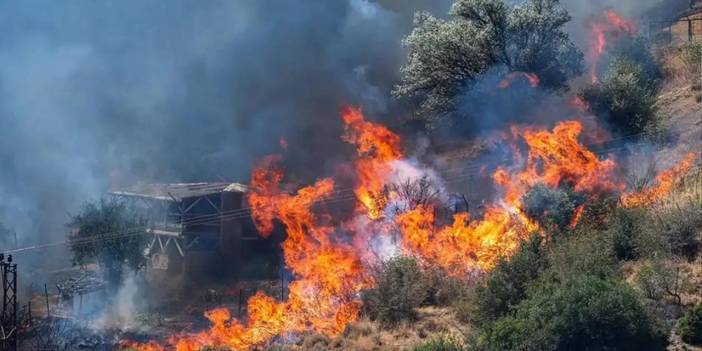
330	268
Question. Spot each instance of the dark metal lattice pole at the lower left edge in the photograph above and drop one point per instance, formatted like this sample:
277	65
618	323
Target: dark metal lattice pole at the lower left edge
8	319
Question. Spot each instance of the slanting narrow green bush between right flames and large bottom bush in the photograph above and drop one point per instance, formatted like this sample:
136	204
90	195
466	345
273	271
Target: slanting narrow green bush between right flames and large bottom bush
506	286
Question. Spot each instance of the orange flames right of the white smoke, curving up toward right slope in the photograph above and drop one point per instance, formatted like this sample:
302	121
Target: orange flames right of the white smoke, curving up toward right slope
554	158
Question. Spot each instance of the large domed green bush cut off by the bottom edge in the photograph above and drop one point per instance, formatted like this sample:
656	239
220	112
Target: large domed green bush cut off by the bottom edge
585	313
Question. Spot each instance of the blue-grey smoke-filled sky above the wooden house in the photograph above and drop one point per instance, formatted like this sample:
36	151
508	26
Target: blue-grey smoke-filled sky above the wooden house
101	93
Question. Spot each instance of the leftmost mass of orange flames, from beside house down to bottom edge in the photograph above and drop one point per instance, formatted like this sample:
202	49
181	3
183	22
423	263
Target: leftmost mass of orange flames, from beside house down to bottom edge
328	273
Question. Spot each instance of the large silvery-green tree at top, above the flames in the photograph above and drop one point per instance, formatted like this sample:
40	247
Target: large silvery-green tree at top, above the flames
445	57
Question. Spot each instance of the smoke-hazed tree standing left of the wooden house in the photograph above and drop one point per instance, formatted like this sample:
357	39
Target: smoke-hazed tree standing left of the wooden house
111	234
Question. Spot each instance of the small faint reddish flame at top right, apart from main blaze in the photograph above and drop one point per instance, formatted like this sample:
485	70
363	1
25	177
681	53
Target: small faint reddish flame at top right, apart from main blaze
606	27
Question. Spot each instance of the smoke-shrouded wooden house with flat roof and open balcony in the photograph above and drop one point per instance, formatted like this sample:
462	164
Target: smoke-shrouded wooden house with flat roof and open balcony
195	228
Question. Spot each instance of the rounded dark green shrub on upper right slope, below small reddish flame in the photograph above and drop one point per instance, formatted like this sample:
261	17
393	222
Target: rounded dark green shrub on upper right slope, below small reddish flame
625	98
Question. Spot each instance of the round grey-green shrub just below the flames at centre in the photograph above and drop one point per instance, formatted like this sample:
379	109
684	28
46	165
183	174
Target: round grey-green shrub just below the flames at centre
400	288
